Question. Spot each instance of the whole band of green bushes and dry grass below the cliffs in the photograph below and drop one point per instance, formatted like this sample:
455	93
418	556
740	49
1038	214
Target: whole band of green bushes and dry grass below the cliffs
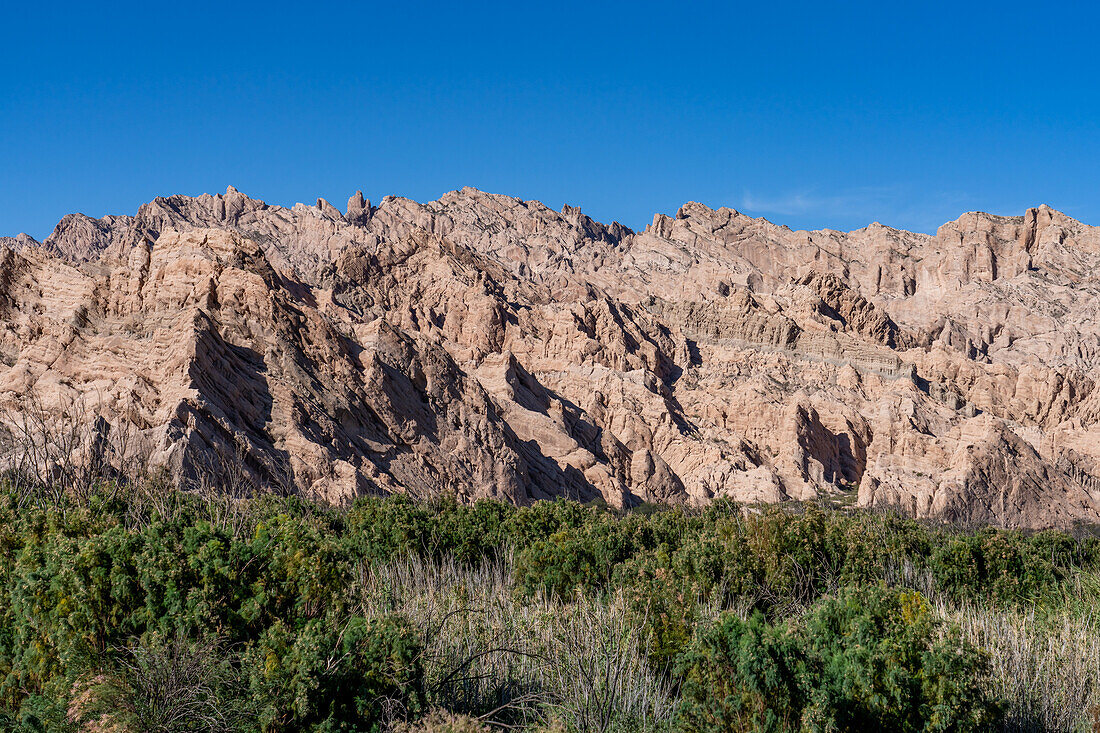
140	607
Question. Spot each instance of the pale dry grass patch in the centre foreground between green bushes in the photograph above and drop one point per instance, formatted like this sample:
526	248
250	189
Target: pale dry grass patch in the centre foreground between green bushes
496	657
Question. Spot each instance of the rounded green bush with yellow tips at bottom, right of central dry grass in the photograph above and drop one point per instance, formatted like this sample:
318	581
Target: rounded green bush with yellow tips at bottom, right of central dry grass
873	659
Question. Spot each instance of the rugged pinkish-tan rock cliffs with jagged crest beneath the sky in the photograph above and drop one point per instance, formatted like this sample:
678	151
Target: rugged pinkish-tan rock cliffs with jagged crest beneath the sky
483	346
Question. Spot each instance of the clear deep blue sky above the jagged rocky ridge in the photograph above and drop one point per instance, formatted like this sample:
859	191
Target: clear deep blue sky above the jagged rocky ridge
813	115
